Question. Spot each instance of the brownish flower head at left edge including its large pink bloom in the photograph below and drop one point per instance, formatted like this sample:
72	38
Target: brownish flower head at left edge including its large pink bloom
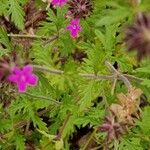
10	71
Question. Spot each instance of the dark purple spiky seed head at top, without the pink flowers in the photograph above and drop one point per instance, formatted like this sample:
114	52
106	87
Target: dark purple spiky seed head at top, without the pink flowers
79	8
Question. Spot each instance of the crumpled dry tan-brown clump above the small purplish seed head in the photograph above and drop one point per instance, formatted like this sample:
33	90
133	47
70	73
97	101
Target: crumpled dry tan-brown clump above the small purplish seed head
128	106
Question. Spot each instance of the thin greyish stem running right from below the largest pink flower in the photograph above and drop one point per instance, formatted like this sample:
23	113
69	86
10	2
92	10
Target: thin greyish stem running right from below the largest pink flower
42	97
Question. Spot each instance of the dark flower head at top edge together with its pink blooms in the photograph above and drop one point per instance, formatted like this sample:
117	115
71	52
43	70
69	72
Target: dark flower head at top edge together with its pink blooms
77	9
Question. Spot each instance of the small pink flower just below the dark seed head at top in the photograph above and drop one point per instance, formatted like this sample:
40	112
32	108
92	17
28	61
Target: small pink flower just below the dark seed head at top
74	27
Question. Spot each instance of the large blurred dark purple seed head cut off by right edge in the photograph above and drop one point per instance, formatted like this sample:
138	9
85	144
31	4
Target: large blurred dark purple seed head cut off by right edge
138	36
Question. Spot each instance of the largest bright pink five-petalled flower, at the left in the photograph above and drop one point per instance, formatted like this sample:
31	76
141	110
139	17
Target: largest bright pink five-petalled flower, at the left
23	77
